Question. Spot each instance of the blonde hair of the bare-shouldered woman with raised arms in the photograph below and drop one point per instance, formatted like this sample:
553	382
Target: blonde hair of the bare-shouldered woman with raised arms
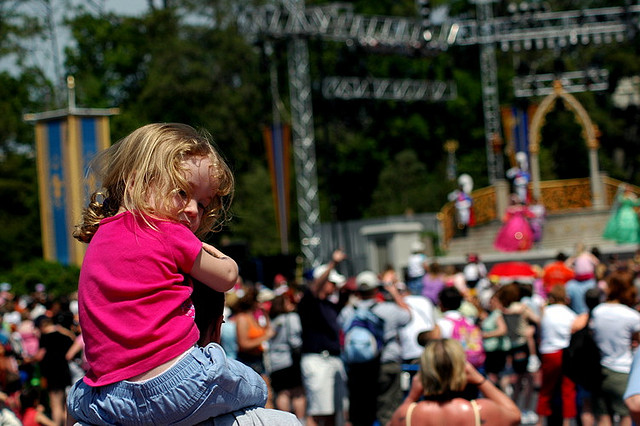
442	367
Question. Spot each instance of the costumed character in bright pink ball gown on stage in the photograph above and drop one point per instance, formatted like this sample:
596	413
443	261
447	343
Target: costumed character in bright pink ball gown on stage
516	233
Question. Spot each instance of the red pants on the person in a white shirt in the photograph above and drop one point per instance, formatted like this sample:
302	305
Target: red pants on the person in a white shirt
551	375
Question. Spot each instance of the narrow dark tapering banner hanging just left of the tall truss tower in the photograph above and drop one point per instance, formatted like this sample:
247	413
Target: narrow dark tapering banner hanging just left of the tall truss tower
277	140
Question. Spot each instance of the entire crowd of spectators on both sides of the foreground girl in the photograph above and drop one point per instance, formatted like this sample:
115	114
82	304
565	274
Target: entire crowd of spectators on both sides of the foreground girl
511	336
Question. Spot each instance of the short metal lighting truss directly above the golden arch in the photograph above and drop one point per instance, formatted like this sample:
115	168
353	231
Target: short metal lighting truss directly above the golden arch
572	82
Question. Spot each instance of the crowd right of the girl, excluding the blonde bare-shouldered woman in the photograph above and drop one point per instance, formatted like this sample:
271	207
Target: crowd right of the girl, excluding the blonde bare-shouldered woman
520	329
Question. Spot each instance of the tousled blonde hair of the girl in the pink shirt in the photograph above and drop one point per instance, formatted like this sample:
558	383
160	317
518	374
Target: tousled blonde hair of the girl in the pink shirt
144	171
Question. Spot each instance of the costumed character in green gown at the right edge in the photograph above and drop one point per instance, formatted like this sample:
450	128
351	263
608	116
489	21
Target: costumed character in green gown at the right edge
623	226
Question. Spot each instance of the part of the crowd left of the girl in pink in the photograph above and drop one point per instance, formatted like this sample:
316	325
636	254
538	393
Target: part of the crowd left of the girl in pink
41	354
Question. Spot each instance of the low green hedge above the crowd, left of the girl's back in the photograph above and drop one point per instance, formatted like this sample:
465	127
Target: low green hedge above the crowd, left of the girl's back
60	280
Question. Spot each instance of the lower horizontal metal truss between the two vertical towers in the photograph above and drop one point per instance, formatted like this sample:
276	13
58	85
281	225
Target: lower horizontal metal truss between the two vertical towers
388	89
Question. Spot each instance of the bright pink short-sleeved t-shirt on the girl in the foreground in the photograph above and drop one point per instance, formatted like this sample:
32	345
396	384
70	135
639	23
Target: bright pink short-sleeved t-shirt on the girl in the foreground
134	300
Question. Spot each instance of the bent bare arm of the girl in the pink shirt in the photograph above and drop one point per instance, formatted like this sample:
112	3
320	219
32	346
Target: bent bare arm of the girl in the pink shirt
214	269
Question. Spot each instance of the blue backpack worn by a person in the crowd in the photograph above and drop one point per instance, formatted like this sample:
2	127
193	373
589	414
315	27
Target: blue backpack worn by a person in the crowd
363	336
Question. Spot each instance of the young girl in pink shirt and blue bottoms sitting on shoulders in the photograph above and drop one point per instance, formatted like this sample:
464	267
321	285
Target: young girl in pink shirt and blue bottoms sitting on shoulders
161	186
